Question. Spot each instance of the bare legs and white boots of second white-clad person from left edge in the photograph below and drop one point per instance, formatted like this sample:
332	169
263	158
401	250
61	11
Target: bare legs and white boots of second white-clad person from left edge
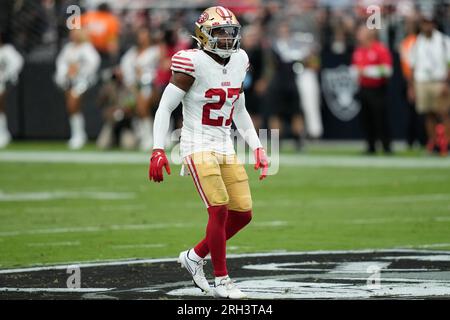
78	134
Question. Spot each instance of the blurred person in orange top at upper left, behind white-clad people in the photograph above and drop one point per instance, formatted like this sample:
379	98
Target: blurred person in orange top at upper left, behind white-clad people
103	29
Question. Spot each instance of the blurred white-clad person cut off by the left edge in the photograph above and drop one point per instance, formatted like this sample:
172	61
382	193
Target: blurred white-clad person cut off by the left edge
11	63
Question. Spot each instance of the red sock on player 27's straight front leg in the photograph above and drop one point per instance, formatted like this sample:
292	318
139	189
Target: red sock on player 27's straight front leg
216	238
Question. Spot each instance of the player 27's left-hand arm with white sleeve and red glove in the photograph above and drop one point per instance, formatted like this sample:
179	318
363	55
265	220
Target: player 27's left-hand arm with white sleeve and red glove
179	84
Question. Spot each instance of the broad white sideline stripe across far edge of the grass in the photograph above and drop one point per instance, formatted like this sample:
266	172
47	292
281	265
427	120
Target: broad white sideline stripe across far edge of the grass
287	160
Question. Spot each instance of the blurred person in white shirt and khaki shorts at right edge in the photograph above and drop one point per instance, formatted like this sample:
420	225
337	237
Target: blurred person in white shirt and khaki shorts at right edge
429	83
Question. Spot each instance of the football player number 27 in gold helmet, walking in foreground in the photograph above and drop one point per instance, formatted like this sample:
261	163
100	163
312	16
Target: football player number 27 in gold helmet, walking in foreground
208	82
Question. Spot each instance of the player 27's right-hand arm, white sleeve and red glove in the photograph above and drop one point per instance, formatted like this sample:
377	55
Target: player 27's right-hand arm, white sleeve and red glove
245	126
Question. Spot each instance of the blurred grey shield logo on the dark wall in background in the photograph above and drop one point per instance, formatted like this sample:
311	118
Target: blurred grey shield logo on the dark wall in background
339	89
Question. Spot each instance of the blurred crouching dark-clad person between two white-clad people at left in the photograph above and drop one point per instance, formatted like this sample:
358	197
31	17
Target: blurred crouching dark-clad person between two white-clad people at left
119	107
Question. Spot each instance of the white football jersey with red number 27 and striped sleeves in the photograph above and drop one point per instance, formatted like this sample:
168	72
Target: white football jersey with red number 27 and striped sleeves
208	105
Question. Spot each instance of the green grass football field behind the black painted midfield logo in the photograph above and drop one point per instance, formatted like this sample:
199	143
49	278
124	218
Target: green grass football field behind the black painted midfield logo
58	207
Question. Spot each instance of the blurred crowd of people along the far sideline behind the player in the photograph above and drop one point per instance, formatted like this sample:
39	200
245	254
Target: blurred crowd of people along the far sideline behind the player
127	52
